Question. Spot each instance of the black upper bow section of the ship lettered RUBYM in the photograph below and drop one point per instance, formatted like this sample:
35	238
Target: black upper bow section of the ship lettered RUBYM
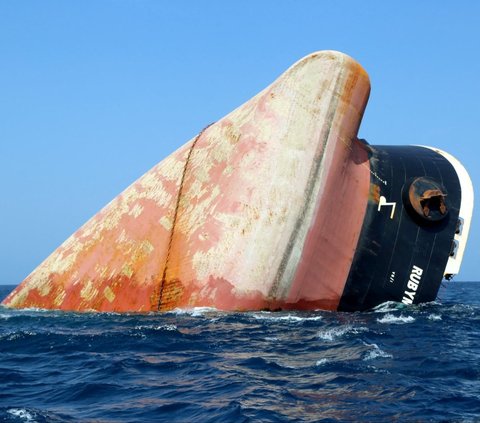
409	228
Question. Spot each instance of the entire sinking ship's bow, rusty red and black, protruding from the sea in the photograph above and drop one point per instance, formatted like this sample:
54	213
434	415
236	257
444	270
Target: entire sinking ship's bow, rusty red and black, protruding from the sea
276	206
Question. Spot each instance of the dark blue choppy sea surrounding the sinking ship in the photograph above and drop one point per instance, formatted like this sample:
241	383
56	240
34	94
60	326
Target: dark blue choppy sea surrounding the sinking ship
396	363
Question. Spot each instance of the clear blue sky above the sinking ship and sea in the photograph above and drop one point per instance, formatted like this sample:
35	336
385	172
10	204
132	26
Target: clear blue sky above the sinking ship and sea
94	93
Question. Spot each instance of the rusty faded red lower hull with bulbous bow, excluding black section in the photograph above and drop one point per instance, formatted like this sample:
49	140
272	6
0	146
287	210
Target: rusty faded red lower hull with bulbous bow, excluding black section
250	214
